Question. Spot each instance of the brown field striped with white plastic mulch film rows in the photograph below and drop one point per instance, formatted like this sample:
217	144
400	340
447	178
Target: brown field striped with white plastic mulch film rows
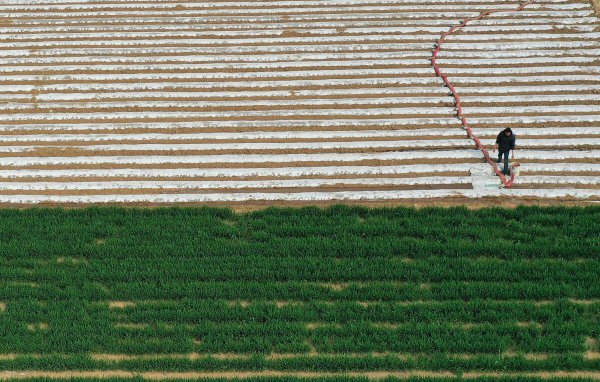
305	101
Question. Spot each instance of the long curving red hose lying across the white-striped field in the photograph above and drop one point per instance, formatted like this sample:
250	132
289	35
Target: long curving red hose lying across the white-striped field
459	112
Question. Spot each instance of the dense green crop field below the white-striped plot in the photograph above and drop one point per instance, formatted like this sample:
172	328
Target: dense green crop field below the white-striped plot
301	294
